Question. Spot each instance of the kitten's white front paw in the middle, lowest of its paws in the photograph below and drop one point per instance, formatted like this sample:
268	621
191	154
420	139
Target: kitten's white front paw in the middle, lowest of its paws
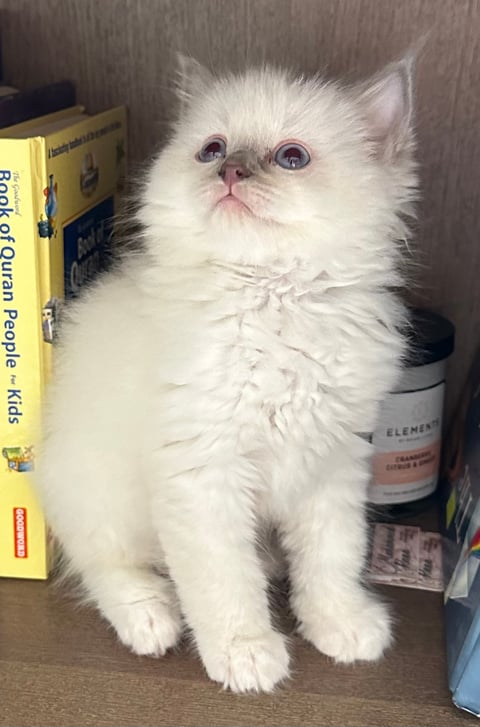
254	664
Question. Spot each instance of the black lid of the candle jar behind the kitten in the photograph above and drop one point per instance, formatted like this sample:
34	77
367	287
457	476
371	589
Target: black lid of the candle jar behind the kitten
432	337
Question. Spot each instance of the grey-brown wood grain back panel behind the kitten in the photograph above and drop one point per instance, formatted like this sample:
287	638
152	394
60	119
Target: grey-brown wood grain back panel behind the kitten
122	51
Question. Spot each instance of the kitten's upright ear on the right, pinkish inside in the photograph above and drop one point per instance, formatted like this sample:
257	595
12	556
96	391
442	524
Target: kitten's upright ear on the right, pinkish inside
387	101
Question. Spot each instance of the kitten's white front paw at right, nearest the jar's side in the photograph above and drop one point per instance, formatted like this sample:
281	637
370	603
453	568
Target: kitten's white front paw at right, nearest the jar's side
352	635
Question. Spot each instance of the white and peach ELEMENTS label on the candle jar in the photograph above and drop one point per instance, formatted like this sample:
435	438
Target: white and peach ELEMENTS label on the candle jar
407	442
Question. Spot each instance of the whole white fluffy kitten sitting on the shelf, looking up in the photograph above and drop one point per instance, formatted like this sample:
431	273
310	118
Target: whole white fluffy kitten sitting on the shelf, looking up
217	381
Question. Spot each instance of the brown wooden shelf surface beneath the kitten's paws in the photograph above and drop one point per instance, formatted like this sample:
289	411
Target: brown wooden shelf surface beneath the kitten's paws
61	665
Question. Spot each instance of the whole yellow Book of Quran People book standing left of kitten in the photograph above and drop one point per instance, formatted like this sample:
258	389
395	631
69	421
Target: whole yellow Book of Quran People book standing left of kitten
59	180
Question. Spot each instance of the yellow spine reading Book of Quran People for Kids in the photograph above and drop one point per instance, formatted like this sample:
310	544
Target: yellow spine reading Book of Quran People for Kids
23	551
